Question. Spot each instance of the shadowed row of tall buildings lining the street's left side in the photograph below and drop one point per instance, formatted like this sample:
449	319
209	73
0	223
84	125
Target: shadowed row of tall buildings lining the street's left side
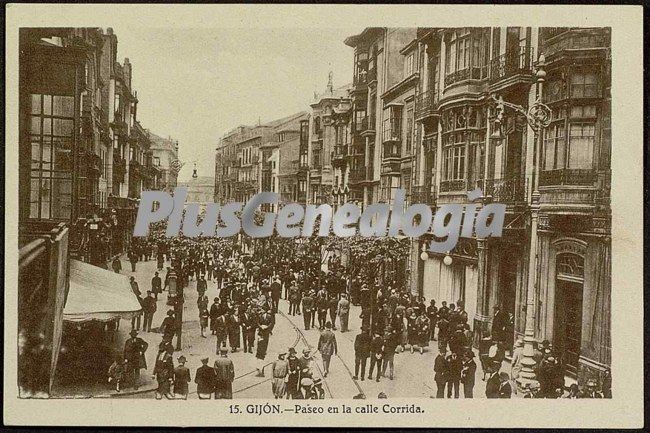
73	125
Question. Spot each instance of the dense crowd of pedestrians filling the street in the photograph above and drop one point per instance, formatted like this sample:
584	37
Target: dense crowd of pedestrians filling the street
252	276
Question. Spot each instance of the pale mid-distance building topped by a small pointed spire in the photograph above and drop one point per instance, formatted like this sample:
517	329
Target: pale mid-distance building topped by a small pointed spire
329	132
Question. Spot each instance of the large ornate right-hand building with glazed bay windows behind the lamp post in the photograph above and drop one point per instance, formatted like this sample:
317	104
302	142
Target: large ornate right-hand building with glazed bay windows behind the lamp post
553	178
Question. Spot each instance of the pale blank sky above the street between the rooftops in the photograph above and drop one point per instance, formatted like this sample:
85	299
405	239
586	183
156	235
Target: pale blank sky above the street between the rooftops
197	84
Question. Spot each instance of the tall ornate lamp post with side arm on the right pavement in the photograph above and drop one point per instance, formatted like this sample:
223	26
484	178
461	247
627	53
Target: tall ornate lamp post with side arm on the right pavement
538	116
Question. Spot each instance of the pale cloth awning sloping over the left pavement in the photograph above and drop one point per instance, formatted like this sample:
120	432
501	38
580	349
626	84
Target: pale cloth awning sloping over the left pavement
98	294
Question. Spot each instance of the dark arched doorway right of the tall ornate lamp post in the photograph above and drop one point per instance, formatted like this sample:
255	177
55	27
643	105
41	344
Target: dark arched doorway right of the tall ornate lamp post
568	309
